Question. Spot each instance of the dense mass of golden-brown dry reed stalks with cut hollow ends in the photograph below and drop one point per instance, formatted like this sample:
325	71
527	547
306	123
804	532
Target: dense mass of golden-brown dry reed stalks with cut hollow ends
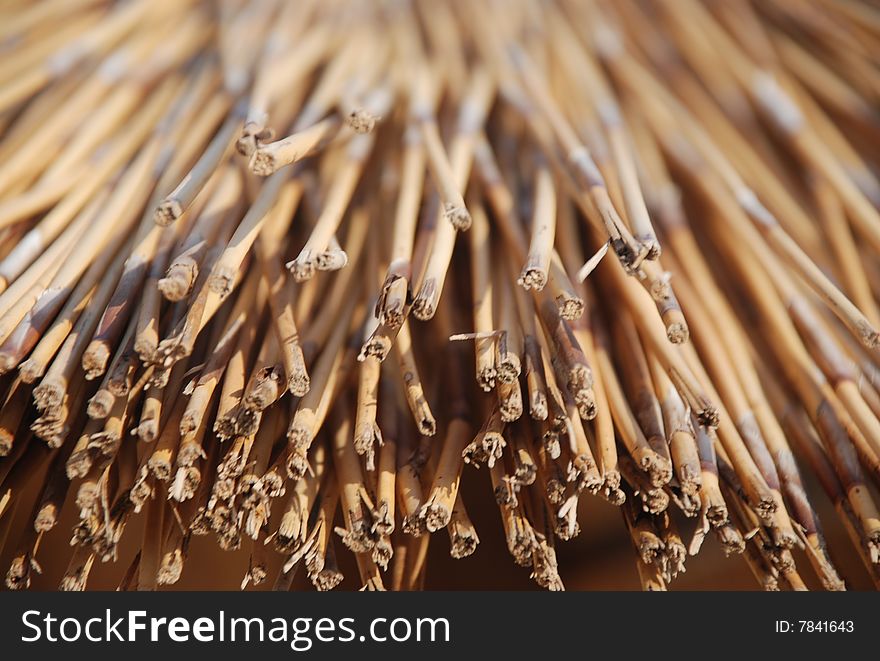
282	273
